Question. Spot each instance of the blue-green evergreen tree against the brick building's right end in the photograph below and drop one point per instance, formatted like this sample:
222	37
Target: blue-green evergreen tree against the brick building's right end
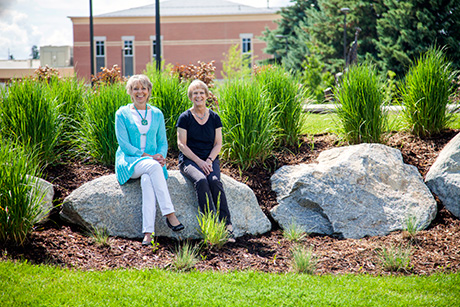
290	47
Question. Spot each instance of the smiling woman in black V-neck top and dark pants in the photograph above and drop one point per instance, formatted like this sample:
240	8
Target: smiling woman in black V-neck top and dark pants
199	138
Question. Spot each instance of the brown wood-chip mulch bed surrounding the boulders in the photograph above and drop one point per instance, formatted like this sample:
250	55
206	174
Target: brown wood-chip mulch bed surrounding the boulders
436	249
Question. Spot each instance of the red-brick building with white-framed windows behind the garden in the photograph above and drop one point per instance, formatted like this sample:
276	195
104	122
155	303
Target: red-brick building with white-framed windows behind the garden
191	31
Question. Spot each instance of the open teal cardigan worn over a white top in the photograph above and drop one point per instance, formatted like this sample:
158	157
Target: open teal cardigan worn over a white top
129	141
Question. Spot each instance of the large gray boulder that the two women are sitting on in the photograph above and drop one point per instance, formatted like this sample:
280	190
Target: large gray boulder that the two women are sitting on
103	203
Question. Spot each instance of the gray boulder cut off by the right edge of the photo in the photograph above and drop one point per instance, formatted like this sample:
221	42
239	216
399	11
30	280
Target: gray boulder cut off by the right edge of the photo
443	178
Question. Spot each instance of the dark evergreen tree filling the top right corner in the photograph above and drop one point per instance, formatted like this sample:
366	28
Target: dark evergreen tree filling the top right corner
409	28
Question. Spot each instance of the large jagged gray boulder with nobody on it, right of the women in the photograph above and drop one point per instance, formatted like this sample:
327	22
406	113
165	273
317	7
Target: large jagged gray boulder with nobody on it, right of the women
354	191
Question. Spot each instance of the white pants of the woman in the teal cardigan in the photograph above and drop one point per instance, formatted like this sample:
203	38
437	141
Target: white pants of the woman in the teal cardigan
153	185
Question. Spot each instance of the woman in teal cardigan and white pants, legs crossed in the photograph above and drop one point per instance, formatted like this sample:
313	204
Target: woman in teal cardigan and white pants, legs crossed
141	135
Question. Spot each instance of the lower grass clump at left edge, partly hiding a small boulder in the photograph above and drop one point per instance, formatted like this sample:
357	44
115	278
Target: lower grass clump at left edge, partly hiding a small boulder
20	196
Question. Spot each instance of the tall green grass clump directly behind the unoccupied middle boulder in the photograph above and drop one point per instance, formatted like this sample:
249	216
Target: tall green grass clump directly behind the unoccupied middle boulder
361	116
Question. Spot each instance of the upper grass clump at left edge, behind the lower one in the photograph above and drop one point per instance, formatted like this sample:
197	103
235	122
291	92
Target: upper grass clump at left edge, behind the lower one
30	115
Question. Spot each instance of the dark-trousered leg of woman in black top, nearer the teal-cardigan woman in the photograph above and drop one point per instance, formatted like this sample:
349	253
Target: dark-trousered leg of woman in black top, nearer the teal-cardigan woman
193	172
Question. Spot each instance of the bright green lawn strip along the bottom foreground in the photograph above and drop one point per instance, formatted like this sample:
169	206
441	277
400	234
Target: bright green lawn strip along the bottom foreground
23	284
